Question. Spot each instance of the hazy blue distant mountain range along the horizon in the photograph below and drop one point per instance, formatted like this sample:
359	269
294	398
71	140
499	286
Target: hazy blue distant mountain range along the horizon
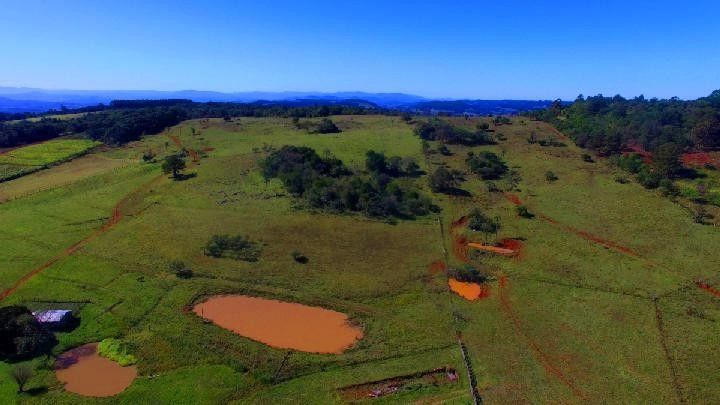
23	99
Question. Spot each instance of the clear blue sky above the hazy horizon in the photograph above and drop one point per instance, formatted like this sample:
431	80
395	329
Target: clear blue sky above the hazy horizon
454	49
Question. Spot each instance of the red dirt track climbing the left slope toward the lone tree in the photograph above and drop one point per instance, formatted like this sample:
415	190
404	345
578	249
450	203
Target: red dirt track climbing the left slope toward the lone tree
115	218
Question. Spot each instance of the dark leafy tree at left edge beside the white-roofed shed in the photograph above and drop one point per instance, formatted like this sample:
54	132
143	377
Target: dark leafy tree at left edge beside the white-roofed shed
21	335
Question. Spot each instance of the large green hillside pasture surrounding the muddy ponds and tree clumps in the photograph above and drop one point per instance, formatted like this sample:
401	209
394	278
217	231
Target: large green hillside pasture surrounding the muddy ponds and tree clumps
600	306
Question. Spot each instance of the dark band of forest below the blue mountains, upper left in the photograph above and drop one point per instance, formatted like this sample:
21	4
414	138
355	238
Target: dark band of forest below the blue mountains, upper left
126	120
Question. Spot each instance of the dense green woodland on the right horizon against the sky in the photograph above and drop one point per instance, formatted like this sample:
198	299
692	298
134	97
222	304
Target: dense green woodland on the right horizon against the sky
608	124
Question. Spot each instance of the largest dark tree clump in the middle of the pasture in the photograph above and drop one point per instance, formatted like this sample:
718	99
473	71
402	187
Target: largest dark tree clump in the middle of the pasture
326	183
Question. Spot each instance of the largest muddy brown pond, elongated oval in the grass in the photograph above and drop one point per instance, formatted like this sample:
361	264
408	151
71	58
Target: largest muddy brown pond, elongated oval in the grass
283	325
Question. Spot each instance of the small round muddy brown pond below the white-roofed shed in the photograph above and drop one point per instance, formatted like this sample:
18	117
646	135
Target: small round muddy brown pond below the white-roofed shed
85	372
